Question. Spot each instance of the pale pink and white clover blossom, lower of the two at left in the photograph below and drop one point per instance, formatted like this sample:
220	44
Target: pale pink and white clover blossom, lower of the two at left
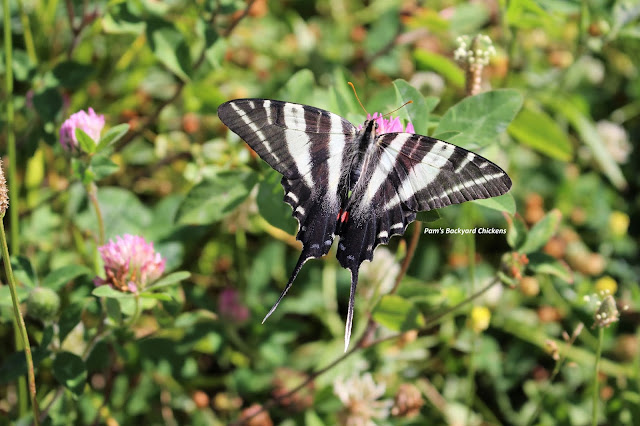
130	263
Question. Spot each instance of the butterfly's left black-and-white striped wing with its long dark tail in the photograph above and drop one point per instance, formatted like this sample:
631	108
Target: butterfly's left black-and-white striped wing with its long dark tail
307	146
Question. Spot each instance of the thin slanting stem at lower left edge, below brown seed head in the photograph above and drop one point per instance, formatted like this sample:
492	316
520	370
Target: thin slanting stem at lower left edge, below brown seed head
18	318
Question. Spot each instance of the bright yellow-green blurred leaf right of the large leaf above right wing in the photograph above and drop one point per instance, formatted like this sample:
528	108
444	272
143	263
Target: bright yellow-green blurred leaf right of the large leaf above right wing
539	131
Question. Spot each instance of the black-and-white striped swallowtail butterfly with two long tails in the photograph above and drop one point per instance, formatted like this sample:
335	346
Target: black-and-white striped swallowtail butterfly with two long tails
363	186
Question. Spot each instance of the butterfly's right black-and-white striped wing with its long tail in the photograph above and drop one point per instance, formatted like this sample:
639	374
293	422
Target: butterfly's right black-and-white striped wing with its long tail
403	174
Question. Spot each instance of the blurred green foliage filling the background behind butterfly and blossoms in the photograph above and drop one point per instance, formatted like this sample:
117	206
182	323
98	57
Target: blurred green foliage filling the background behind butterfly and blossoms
180	179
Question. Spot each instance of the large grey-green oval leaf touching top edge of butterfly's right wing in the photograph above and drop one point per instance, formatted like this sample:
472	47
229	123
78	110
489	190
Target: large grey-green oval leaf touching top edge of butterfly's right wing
481	118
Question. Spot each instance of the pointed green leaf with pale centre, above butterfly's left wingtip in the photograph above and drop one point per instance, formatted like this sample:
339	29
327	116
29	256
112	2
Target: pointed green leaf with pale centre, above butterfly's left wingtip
169	47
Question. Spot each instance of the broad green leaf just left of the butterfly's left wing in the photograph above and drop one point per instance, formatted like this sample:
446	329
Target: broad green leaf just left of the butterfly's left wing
214	198
